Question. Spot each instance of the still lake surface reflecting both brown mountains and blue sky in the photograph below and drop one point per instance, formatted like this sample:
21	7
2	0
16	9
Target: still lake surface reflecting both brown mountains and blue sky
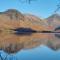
25	47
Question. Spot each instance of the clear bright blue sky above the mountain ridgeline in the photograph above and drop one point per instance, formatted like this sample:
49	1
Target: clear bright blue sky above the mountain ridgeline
40	8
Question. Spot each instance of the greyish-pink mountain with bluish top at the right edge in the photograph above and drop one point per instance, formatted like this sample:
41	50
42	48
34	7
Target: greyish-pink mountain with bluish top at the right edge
53	21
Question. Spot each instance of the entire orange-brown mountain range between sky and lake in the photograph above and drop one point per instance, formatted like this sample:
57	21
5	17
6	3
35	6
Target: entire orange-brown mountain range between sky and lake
12	19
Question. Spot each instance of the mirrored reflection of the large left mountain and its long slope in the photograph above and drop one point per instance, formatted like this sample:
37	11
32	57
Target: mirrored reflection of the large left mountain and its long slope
12	43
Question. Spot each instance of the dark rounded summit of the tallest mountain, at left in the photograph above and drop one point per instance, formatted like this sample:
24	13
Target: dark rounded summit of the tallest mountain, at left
14	14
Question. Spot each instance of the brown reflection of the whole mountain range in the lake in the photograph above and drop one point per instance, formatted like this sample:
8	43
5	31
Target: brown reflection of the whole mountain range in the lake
12	43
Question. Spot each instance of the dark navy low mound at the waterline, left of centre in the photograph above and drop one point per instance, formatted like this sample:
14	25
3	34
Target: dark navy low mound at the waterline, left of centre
24	31
